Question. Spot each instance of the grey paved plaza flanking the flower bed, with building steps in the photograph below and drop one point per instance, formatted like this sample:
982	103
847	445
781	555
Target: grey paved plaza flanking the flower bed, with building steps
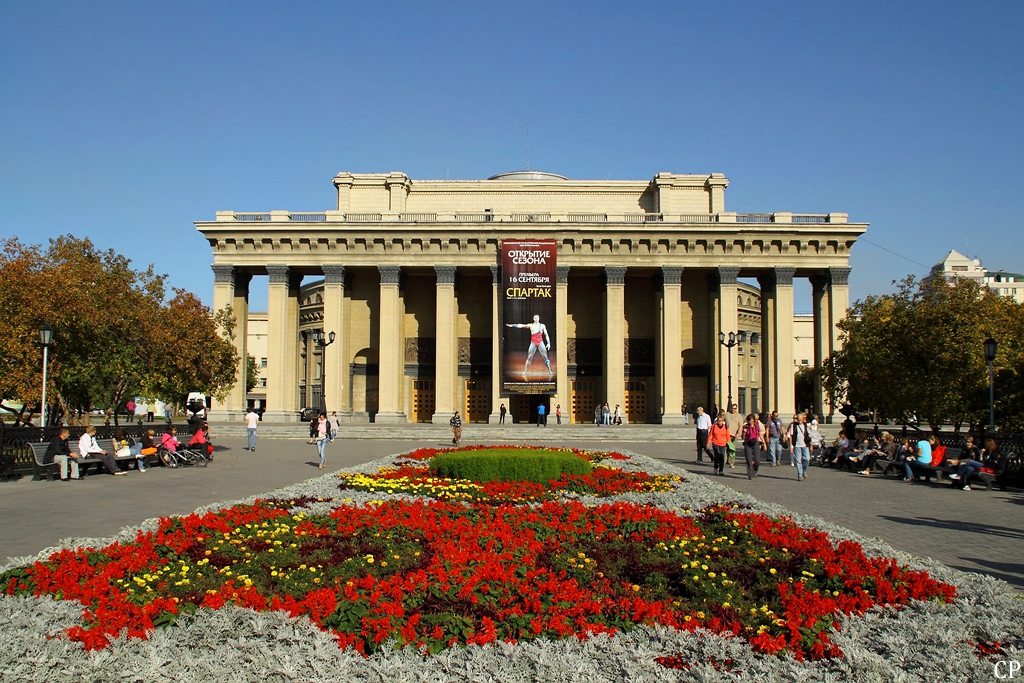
975	531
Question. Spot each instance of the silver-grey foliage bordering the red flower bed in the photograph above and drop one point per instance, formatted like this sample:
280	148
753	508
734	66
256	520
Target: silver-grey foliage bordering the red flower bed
925	642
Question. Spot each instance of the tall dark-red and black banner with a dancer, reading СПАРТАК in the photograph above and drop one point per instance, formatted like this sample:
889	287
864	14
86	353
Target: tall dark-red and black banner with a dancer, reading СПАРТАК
529	354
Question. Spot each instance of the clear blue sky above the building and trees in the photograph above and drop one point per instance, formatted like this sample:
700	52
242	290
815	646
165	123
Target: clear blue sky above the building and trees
127	121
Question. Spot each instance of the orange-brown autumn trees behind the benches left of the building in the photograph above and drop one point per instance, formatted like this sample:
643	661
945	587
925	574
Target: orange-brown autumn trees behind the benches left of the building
115	336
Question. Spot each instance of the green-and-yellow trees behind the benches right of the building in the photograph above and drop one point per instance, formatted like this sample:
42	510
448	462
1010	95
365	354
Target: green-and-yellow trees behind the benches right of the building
920	352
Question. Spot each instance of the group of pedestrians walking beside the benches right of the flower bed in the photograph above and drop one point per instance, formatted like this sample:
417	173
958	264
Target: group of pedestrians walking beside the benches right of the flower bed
730	431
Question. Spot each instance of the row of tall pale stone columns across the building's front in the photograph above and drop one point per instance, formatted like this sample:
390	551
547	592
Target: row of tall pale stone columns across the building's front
830	300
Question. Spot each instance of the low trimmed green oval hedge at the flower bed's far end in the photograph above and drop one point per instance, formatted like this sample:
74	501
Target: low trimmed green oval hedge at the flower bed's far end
508	465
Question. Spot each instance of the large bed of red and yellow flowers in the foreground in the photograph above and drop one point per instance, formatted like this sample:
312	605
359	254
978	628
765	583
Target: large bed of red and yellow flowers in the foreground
425	571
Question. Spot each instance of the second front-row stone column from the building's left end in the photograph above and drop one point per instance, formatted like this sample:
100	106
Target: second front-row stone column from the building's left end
282	364
